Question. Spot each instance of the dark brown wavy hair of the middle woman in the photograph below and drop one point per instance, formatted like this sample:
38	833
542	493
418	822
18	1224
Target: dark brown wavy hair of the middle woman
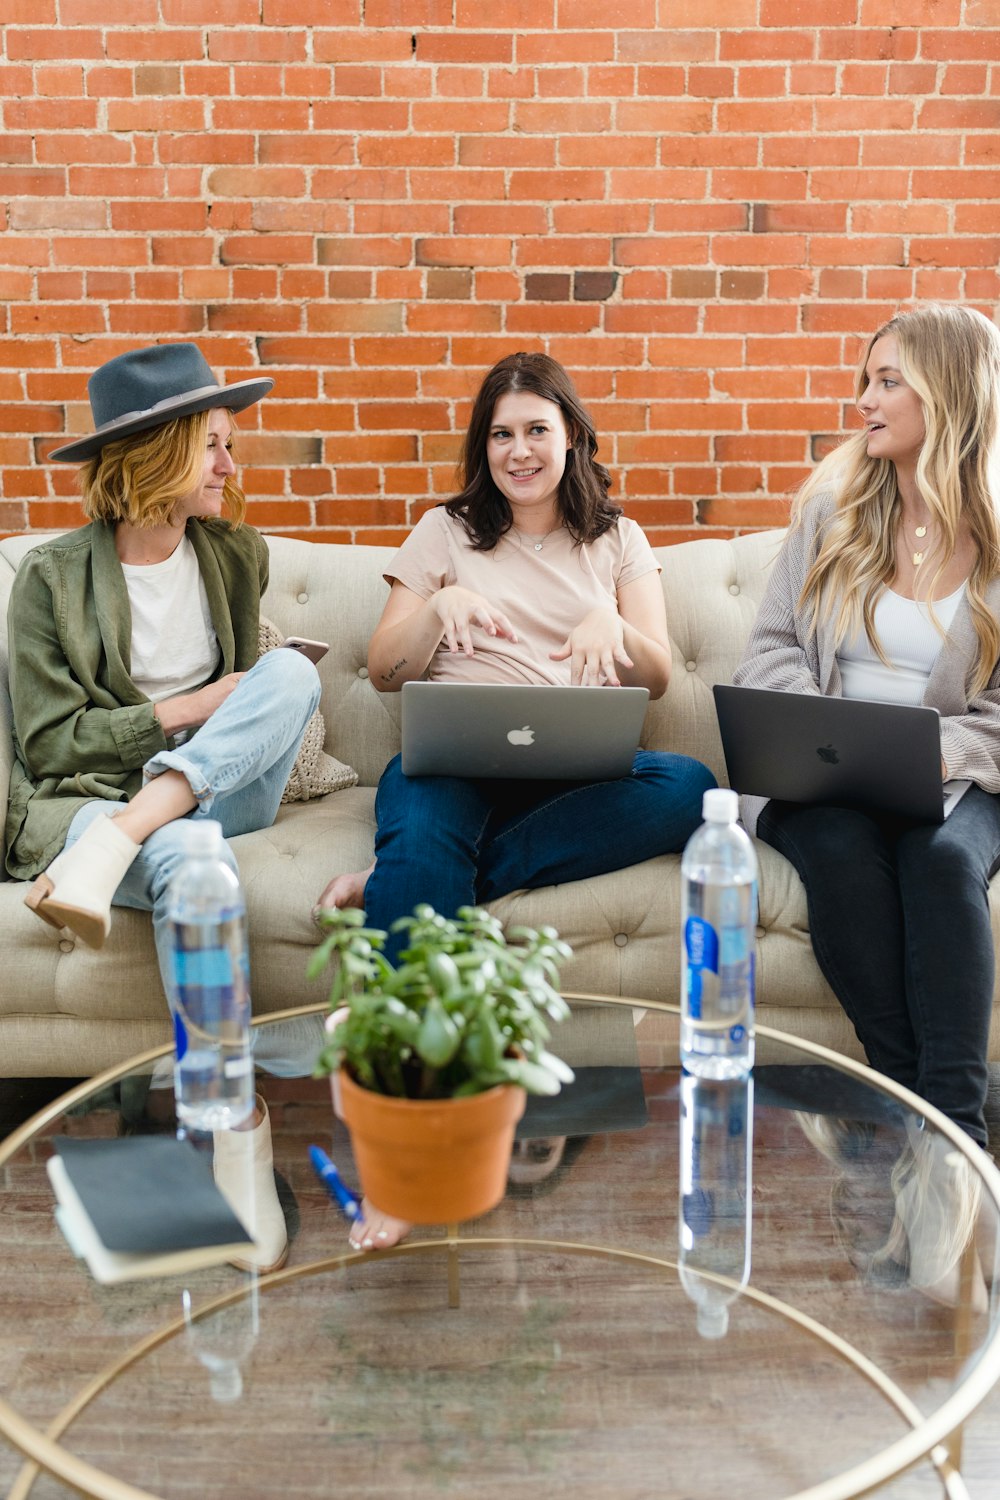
582	503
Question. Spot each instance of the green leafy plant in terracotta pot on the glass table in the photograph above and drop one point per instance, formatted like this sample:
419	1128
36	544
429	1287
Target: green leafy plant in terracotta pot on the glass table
431	1060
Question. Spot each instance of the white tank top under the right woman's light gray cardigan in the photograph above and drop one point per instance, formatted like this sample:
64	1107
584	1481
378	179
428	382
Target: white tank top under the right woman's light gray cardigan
911	641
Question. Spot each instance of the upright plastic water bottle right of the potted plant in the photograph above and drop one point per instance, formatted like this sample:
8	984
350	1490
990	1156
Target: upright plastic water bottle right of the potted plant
719	922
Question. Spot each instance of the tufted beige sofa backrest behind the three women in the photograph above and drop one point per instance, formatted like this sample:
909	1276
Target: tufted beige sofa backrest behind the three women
337	593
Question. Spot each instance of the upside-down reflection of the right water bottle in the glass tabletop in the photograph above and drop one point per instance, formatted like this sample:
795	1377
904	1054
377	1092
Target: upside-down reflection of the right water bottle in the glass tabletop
716	1196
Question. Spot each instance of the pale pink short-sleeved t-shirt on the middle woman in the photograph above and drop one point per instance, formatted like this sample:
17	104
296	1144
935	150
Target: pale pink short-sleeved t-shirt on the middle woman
545	595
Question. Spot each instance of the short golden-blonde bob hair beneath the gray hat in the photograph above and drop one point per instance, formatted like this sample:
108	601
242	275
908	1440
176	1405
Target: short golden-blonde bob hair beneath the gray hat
142	479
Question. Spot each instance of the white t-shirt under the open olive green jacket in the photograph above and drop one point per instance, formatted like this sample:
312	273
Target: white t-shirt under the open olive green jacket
175	646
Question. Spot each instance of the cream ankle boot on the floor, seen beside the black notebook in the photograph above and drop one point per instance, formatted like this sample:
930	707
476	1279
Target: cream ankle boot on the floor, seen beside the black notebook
245	1174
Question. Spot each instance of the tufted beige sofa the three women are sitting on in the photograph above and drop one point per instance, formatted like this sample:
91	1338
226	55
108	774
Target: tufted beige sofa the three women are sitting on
70	1012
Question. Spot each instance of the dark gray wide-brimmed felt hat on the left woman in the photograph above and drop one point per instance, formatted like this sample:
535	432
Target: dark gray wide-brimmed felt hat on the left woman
148	388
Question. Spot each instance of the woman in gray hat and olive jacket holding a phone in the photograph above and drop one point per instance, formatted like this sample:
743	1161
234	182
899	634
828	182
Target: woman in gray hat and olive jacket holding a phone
139	700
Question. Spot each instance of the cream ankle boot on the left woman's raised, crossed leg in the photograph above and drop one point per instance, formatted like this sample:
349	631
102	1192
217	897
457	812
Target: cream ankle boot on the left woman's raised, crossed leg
79	887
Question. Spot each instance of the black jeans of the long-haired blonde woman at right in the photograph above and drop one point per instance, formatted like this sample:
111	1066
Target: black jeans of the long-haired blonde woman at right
900	926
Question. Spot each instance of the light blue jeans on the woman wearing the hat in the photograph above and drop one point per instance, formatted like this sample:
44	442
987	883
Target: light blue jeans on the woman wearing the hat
238	766
